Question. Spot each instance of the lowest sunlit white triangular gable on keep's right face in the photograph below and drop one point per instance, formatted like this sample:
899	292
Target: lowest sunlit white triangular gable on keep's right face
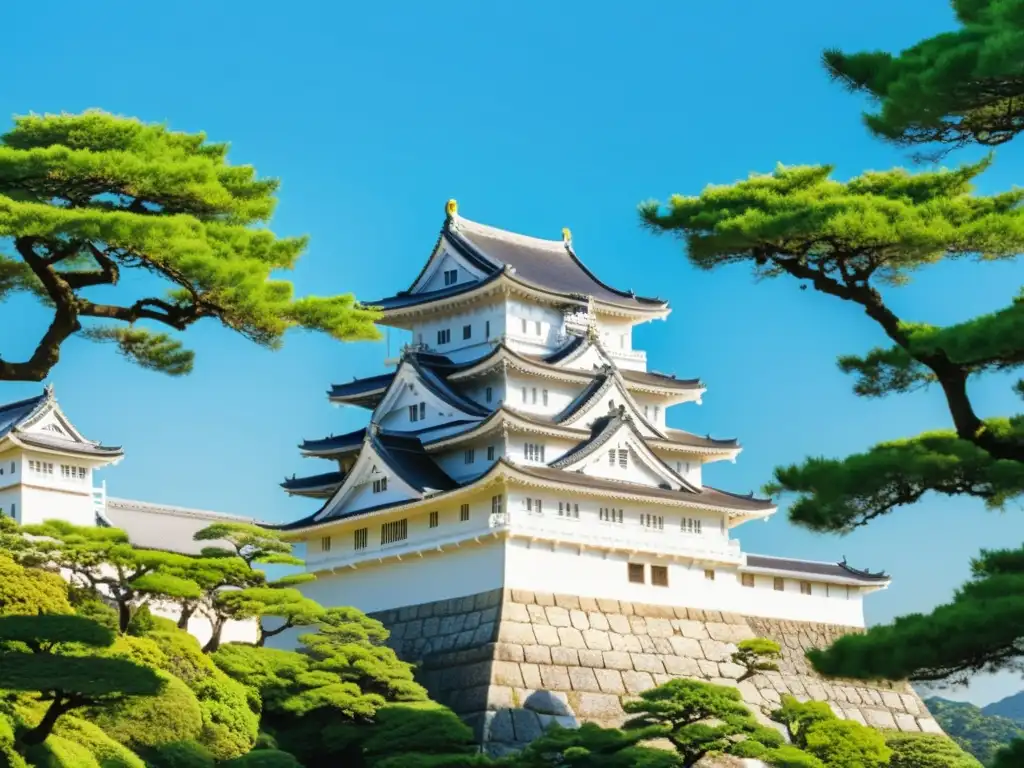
593	457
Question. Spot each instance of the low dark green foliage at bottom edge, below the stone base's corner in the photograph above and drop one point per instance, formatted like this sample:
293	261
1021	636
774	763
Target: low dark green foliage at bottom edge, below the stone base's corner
593	747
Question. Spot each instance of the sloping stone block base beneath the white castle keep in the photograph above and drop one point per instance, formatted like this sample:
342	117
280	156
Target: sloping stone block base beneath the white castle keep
513	662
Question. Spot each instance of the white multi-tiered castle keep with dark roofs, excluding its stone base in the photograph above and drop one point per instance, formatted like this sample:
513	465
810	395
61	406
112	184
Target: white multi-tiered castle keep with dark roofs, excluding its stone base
523	444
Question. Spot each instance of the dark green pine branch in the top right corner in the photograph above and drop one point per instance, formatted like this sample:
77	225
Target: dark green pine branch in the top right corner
954	89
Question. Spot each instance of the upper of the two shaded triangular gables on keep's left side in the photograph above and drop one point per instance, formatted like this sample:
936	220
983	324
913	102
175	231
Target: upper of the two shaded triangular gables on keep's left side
412	387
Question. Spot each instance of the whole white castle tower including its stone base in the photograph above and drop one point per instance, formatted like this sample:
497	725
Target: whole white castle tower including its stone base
519	502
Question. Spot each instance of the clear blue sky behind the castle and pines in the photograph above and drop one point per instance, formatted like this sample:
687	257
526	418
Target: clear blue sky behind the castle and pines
535	116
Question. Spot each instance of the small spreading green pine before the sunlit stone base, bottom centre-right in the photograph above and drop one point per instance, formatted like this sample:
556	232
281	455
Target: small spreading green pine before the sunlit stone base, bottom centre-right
698	718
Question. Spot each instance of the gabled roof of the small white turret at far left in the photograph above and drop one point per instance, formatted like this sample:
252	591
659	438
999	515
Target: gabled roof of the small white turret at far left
17	420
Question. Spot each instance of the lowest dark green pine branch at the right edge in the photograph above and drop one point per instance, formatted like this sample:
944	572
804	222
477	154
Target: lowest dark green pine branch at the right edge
934	647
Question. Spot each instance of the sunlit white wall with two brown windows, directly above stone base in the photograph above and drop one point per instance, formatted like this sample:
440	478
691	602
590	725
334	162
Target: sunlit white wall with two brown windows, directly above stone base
544	568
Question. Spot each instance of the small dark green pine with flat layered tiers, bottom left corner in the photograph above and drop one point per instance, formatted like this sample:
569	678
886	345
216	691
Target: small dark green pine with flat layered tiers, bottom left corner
56	667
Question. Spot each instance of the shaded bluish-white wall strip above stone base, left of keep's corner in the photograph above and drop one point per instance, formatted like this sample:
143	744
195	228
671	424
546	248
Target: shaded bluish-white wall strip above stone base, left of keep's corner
456	573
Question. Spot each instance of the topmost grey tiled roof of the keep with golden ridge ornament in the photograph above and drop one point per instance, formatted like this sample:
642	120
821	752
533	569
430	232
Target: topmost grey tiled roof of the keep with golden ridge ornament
550	266
